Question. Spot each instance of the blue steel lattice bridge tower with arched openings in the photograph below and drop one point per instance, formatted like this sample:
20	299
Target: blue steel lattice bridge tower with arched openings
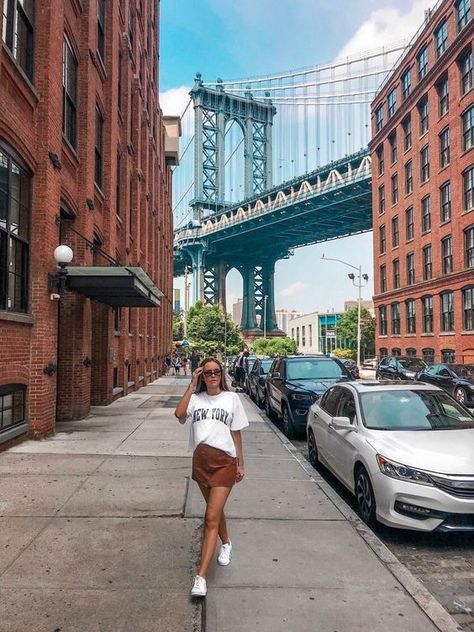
213	110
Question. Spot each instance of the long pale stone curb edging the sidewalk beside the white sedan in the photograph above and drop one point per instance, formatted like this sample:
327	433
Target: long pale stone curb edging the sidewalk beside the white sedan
437	614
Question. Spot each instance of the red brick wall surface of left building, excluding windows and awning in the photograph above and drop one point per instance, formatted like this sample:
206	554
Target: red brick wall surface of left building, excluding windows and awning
137	233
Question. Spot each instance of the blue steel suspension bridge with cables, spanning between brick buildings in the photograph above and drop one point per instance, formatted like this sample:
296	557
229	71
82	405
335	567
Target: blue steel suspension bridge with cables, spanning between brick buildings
270	164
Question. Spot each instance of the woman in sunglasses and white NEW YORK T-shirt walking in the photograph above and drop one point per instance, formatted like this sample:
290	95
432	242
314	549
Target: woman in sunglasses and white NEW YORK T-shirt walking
217	417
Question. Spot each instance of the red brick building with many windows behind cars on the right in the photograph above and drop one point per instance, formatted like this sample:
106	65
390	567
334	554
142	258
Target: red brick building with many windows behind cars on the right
423	193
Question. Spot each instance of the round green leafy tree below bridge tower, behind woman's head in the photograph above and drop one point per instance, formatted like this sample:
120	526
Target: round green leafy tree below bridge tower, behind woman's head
207	330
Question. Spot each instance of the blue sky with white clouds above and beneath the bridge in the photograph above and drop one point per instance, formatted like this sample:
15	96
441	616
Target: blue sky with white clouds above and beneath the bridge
236	39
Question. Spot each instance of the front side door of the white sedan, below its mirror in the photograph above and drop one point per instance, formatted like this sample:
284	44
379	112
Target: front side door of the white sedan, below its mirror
341	443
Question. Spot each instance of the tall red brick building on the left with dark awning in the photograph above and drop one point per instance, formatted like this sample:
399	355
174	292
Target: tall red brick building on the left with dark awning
84	161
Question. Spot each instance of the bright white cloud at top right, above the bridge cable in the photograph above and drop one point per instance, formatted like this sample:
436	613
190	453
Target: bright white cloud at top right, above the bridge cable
387	25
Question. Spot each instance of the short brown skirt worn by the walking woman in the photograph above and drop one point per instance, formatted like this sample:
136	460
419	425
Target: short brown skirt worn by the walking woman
213	467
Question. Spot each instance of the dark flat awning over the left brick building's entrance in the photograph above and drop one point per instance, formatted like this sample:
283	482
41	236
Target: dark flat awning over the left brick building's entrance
118	286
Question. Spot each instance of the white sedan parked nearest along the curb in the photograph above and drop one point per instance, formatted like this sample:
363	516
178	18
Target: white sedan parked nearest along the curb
405	450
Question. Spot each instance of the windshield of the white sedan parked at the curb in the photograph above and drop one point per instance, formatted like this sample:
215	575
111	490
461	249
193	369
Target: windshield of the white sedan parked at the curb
413	410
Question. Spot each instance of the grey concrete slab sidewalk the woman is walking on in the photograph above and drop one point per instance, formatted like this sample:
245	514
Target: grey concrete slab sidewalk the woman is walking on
100	530
